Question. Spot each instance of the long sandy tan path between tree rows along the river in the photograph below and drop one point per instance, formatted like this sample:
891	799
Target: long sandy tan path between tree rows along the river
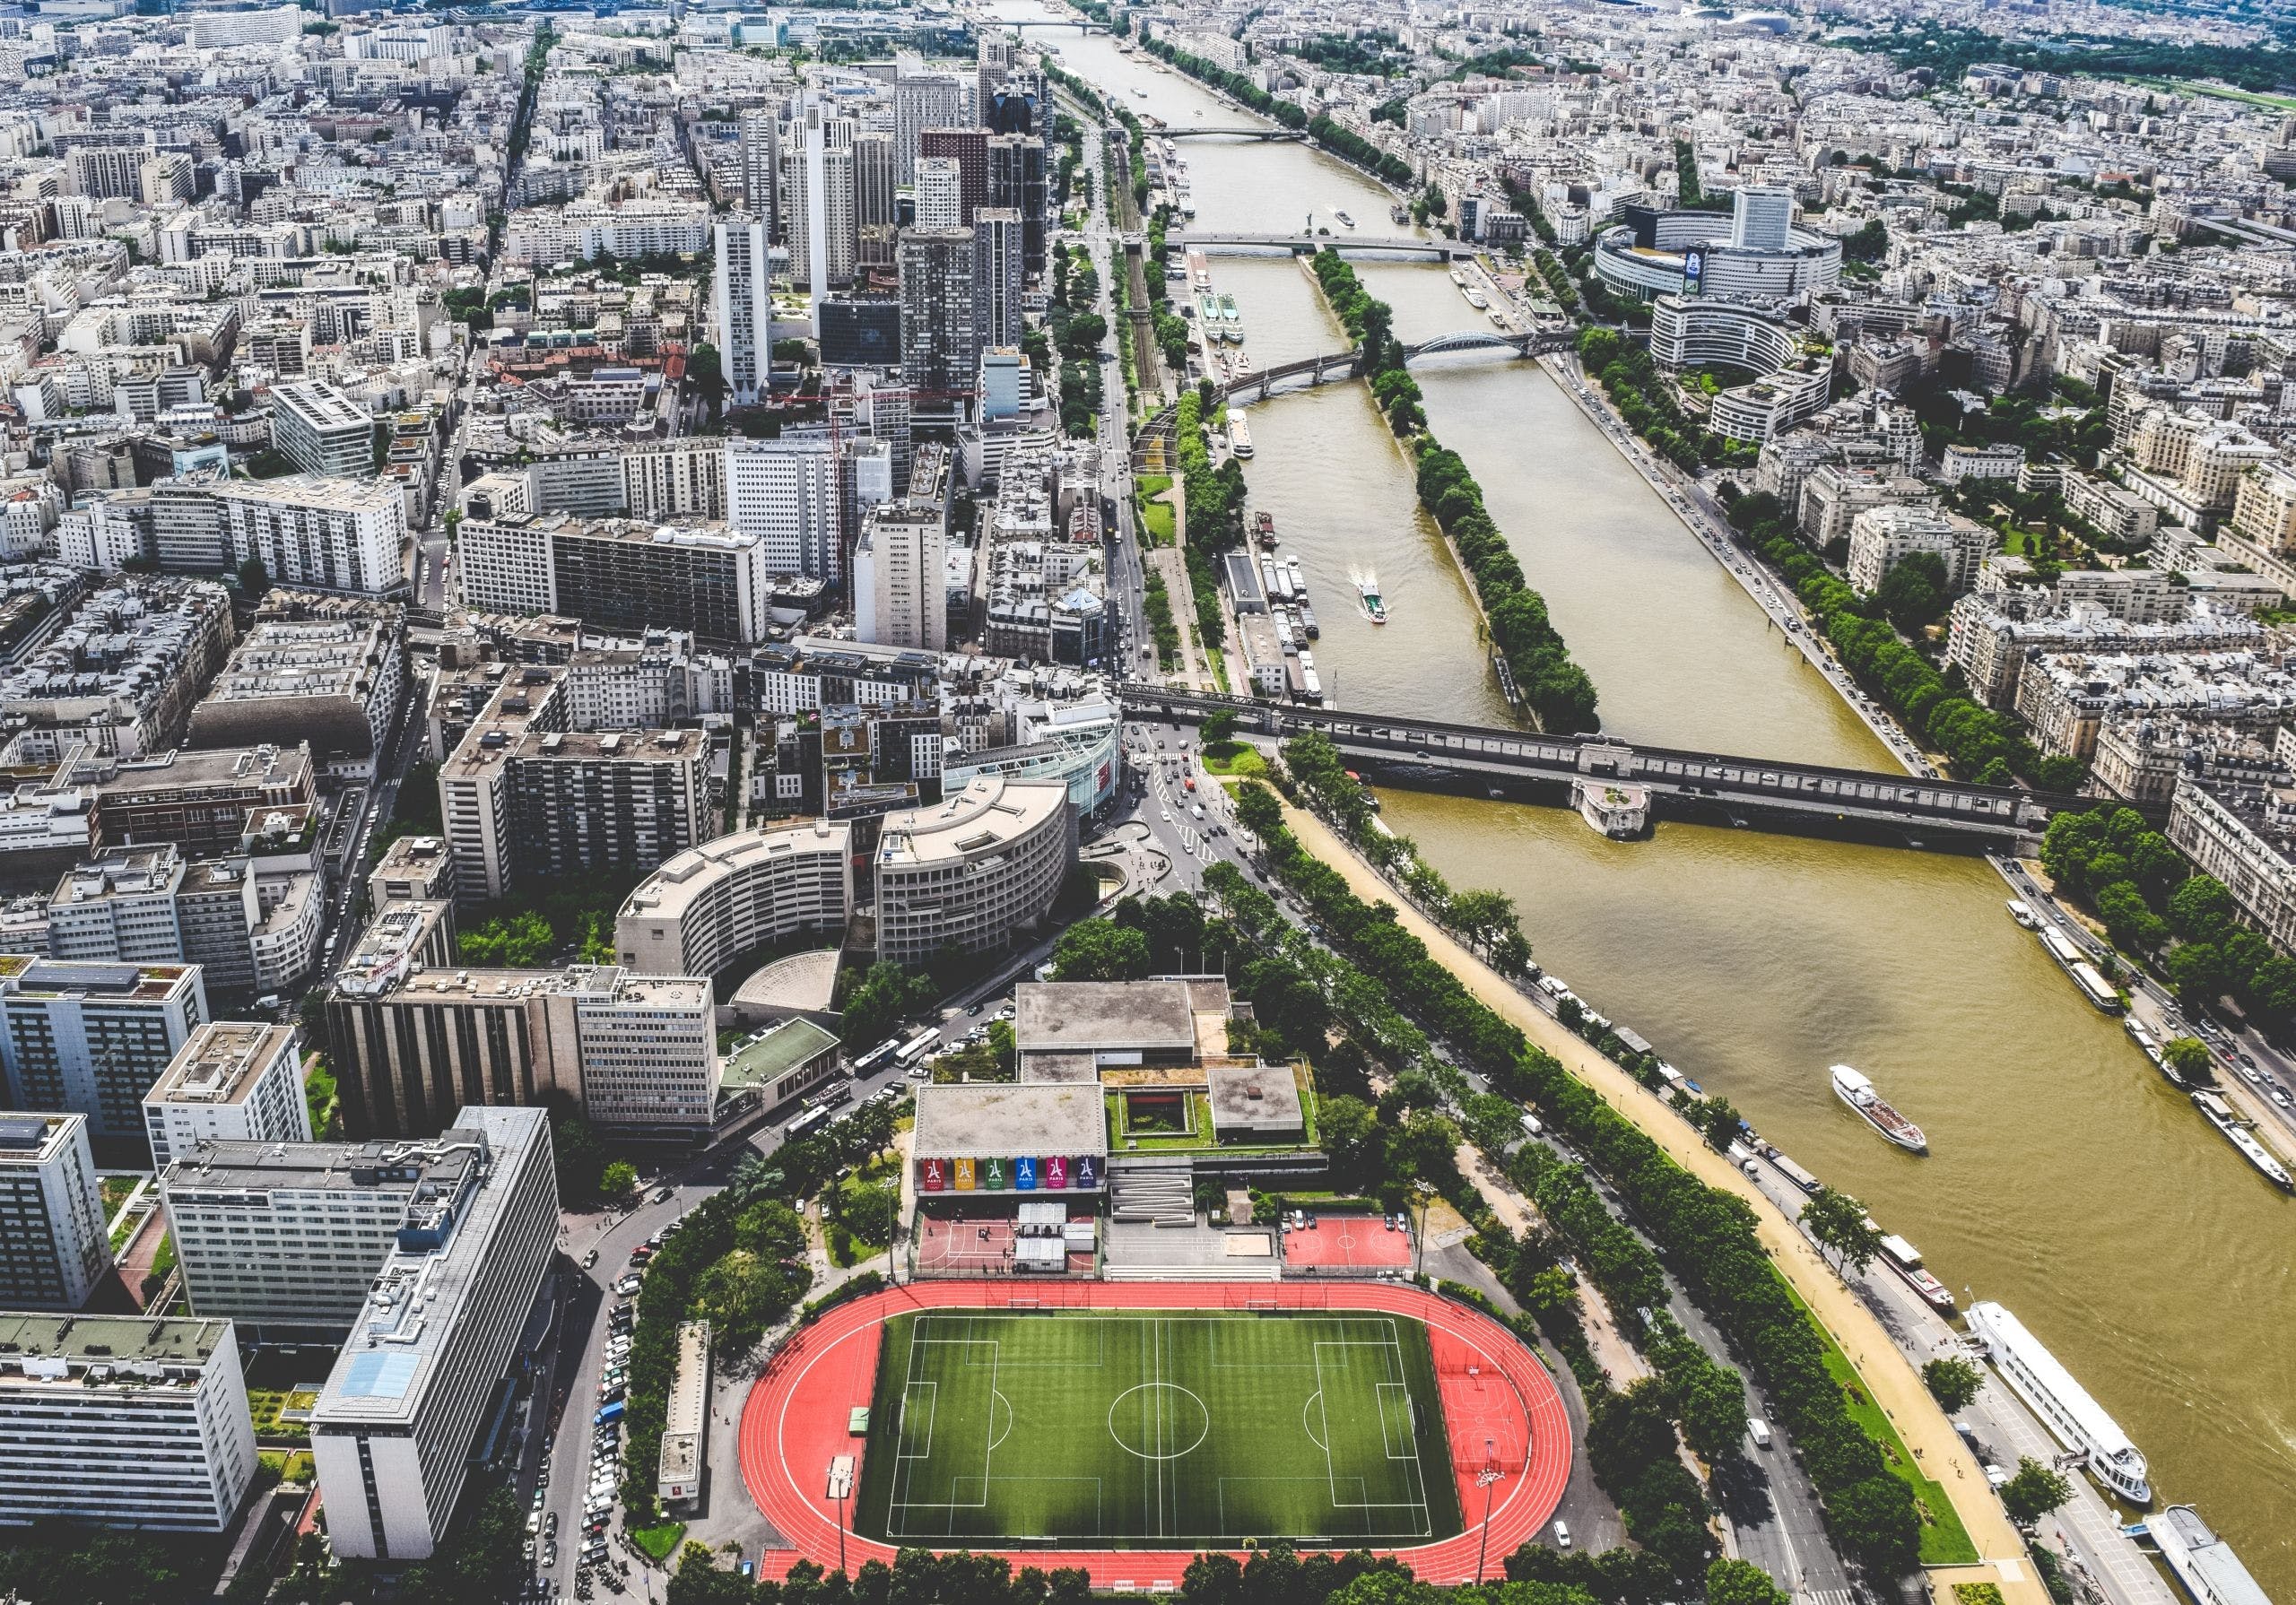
1888	1379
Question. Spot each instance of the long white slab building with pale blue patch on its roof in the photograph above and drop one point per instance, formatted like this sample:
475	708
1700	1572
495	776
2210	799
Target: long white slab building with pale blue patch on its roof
410	1395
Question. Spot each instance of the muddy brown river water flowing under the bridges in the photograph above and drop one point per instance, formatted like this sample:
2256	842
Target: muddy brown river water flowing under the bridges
2065	1177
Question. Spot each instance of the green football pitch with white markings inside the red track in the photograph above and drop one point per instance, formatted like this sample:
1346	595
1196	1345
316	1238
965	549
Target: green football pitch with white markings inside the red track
1156	1429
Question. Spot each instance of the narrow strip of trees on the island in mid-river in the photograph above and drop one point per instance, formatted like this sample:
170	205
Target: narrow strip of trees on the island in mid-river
1558	690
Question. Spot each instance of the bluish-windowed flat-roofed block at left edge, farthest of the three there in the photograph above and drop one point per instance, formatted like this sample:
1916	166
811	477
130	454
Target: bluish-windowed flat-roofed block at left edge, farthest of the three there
93	1039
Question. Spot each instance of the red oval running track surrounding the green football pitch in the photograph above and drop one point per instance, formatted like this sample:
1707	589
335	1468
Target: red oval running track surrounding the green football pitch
1498	1402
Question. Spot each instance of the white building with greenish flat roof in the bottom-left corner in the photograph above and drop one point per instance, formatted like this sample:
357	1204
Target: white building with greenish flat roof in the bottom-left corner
123	1422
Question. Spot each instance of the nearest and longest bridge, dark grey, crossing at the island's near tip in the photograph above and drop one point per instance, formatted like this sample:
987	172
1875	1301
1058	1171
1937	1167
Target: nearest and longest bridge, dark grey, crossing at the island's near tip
1767	789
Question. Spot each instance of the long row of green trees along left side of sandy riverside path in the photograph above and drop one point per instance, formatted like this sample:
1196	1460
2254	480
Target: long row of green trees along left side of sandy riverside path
1709	1236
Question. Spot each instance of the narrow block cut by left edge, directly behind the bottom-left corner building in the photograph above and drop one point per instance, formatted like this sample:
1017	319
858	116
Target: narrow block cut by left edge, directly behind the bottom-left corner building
54	1239
